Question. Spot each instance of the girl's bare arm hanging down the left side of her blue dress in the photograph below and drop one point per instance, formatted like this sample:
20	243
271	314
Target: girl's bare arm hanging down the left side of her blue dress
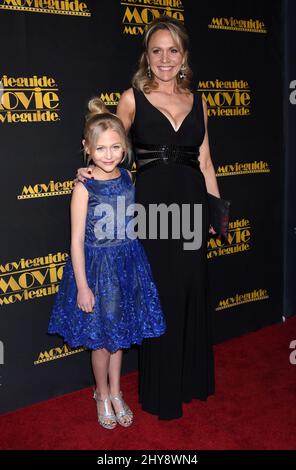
79	201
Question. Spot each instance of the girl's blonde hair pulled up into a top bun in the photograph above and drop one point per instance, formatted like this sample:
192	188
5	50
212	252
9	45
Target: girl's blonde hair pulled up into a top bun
97	120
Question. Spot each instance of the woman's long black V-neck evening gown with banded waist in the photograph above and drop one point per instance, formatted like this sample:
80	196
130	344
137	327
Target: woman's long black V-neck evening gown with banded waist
178	366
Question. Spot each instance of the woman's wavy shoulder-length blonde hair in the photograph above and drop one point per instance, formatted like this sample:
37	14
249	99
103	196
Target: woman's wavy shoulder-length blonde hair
141	80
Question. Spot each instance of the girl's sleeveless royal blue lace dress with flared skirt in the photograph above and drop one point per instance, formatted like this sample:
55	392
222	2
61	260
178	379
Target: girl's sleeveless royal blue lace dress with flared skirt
127	307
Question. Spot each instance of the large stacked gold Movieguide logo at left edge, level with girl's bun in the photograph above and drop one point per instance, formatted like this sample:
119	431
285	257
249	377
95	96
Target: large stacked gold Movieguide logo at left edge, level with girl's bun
28	99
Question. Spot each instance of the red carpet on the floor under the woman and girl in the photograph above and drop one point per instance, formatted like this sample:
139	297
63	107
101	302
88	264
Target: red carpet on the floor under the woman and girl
253	408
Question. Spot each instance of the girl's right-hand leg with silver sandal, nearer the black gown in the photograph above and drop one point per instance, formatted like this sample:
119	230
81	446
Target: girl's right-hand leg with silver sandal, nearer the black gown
119	405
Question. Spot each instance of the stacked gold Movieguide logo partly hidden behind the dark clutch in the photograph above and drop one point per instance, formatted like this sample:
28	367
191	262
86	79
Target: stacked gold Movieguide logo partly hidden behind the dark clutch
238	240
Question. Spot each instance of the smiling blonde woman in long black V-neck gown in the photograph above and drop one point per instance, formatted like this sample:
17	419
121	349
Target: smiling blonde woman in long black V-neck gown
168	125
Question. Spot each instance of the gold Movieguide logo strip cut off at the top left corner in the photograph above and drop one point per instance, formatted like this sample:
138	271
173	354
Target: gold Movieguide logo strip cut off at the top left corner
54	7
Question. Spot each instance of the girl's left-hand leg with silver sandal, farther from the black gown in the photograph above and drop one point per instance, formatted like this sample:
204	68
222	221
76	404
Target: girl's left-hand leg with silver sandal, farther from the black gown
100	363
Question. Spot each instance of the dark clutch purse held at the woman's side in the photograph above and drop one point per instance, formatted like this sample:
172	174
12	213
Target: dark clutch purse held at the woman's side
219	214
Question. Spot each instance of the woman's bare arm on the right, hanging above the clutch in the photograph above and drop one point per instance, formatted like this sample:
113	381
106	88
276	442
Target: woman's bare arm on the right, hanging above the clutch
206	164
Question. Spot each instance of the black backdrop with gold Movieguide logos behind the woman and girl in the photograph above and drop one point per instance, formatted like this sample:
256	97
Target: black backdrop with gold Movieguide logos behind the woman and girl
55	55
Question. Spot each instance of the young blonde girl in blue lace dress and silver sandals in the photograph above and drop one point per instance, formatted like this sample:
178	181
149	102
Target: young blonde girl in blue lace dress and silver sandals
107	298
